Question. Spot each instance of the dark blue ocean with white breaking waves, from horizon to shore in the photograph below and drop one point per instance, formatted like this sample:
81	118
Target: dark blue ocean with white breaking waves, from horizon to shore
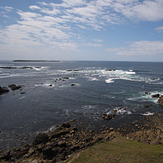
56	92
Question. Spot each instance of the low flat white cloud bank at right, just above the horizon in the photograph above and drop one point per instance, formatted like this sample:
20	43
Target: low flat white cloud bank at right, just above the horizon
140	48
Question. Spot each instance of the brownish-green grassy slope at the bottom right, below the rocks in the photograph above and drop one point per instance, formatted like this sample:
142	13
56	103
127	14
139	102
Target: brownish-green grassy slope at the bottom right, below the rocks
120	150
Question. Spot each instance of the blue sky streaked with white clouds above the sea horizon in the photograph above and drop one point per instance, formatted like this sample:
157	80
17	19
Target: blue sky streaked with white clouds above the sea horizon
100	30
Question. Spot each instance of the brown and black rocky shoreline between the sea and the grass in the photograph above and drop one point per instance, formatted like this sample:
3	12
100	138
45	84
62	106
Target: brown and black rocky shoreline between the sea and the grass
60	143
